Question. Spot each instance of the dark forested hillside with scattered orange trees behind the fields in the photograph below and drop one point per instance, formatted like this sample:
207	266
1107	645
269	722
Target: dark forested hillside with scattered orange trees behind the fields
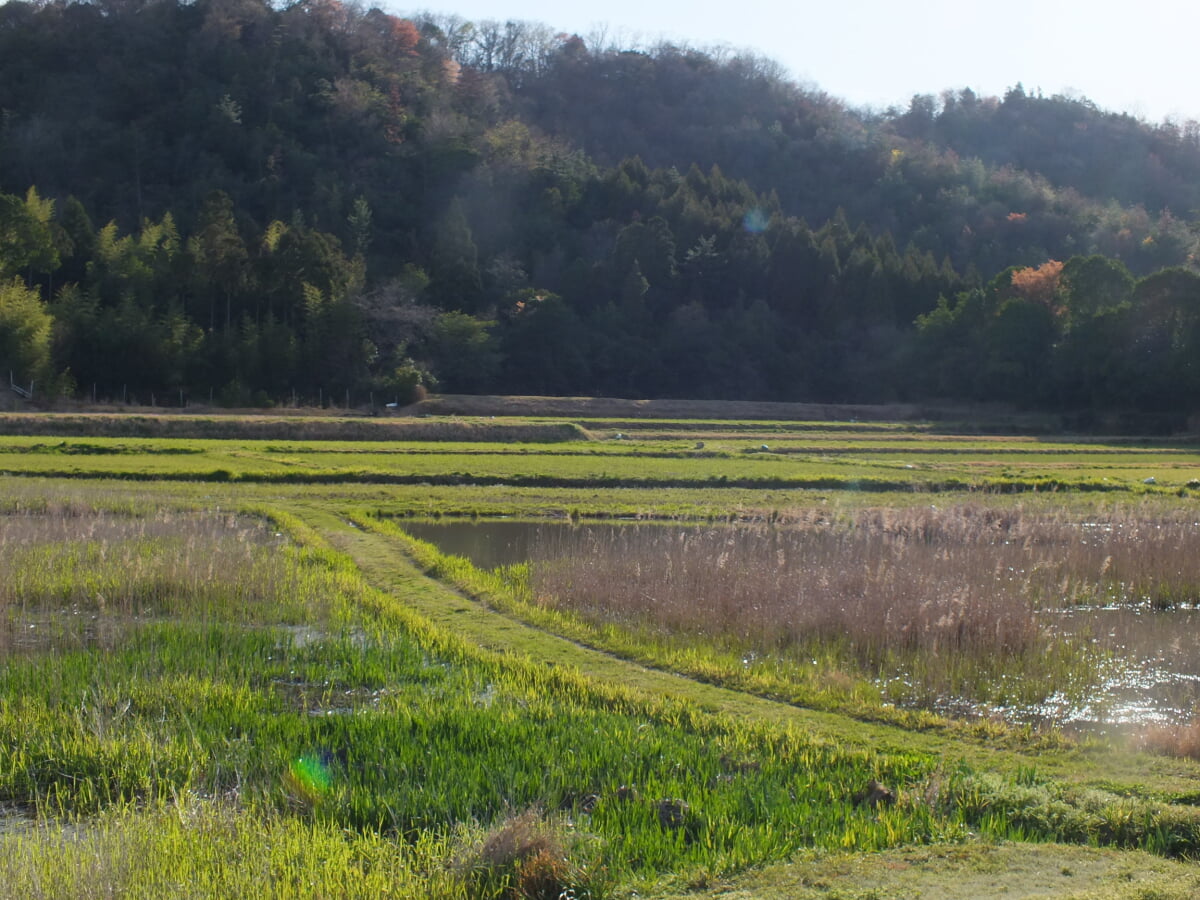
261	203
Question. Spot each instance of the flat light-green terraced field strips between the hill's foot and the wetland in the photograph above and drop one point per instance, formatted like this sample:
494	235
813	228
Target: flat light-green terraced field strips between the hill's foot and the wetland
836	460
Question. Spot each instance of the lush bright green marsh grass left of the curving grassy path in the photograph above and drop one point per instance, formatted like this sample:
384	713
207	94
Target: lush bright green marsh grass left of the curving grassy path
383	730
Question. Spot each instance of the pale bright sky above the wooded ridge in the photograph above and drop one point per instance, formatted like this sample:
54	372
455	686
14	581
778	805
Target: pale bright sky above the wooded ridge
1137	58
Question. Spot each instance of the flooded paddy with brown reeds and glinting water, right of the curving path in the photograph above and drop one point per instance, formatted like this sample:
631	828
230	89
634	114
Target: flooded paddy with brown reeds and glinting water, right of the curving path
1142	634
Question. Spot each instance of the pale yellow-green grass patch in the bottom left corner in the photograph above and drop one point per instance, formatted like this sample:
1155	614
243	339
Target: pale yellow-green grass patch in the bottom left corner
206	849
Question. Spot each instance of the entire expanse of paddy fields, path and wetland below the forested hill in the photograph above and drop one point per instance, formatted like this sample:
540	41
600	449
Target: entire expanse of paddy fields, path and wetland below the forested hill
533	658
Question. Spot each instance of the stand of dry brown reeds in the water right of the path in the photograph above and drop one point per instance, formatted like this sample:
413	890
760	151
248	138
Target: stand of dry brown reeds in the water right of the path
898	592
